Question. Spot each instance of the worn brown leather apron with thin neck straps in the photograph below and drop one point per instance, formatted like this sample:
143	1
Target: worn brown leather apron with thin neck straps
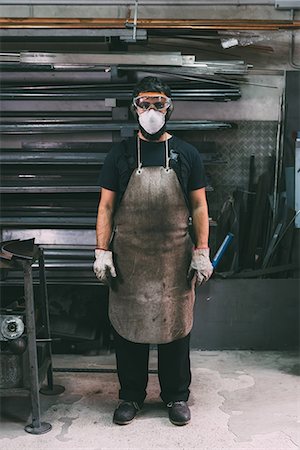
151	300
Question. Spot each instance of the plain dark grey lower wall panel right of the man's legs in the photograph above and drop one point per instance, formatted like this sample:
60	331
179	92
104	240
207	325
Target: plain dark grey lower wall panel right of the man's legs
247	314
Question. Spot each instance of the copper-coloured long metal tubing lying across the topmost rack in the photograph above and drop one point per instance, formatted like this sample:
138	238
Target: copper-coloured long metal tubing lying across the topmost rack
192	24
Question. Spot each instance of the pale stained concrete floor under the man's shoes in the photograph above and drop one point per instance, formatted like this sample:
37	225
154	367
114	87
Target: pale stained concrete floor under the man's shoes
239	399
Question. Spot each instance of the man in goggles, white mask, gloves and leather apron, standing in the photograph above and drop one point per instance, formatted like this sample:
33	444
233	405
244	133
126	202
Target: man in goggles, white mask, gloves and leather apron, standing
151	185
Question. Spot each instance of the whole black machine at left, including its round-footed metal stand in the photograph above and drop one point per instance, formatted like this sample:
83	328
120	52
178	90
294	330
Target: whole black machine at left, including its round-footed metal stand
26	357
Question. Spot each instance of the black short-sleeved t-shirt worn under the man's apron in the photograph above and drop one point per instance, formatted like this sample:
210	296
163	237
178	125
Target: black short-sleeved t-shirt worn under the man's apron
153	154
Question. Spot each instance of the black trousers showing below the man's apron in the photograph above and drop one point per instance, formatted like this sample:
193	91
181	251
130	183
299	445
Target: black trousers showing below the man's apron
173	369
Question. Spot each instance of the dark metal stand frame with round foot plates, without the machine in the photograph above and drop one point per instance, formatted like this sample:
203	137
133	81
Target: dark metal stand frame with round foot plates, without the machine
36	369
